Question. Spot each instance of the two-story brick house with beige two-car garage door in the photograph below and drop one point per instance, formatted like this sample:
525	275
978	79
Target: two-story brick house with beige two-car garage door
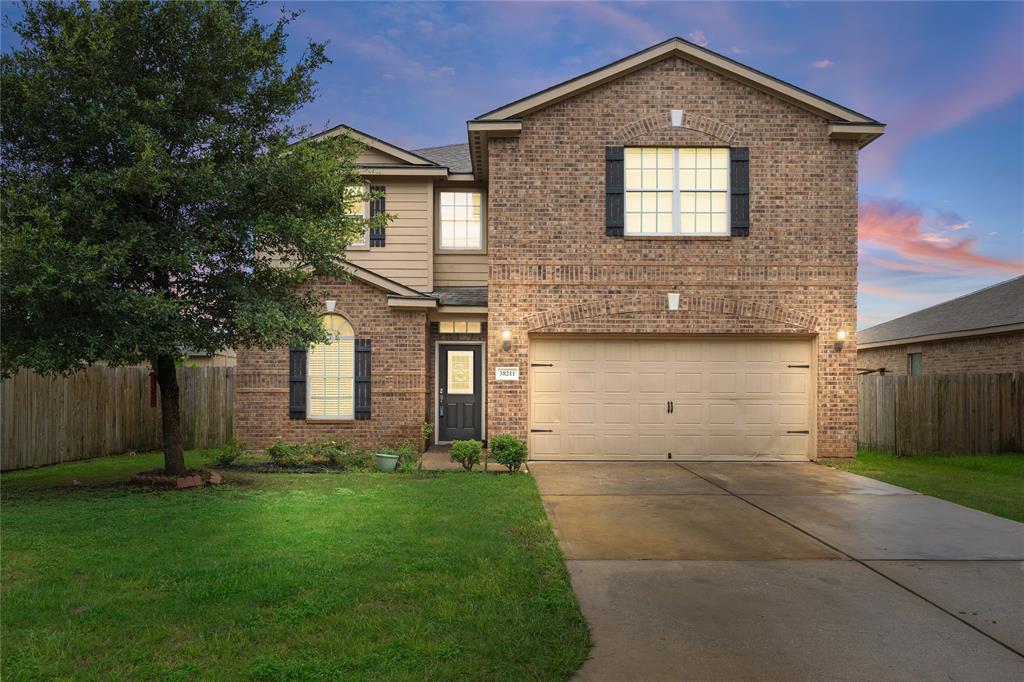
654	261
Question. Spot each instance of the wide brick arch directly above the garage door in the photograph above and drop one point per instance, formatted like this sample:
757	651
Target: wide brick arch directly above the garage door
653	303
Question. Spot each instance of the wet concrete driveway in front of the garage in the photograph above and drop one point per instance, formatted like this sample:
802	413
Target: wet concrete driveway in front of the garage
784	571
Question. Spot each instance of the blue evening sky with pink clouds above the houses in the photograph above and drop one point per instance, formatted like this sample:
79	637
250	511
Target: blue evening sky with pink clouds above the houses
942	193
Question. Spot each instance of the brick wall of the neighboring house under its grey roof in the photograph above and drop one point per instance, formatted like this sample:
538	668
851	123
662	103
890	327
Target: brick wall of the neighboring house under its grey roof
985	355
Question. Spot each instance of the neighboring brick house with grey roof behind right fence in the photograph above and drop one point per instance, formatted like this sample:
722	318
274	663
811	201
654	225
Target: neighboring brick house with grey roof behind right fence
980	333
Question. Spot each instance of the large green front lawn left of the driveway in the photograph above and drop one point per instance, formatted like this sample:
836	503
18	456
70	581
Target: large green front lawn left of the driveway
282	577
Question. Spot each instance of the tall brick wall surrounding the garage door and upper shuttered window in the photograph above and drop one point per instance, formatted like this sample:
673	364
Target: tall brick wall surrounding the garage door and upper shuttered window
553	270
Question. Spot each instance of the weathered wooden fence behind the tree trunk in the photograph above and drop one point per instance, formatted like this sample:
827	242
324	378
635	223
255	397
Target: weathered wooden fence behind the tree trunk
105	411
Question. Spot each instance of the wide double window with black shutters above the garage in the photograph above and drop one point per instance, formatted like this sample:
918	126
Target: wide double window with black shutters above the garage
677	191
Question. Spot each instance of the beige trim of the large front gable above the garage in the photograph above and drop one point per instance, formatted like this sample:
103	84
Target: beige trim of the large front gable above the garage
692	53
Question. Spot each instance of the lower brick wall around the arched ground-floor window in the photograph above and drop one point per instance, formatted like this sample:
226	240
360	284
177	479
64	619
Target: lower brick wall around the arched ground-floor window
399	364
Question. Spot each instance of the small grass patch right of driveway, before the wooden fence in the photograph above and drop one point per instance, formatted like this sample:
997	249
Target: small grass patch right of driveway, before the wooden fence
994	484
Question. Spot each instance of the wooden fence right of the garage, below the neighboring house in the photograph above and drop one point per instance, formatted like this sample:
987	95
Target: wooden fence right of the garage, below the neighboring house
944	414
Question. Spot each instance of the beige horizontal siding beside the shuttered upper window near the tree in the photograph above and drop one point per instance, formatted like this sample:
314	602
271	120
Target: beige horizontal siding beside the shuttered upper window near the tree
407	255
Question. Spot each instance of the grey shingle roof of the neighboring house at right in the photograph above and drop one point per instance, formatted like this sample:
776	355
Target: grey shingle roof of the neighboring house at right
996	307
